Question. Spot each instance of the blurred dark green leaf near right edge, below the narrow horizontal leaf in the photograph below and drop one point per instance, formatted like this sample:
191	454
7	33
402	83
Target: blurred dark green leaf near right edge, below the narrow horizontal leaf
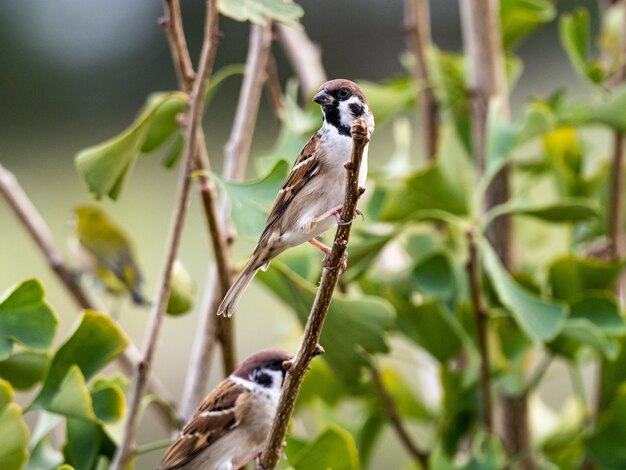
569	276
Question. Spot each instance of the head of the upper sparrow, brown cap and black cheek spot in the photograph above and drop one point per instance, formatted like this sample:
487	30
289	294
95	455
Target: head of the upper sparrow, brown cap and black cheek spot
343	102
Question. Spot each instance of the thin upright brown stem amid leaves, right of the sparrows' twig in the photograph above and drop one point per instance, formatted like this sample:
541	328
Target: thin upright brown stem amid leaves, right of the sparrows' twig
481	316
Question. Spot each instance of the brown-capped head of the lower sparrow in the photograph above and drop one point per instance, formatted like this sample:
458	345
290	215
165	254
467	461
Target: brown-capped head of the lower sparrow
266	368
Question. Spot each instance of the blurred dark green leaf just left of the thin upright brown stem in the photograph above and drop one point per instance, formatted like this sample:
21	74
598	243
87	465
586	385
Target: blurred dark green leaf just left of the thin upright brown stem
428	323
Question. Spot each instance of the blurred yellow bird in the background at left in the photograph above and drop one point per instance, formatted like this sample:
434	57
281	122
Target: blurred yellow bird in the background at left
103	250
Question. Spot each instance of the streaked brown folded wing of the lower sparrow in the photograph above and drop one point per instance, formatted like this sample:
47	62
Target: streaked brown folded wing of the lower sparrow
218	414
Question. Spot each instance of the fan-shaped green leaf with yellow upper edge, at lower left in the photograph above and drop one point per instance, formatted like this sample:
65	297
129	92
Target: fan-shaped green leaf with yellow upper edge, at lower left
96	341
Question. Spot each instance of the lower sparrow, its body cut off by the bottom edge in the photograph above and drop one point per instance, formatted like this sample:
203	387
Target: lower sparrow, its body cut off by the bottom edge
233	422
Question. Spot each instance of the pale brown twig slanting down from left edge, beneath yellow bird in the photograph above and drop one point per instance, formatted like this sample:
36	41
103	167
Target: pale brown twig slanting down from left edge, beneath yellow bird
39	231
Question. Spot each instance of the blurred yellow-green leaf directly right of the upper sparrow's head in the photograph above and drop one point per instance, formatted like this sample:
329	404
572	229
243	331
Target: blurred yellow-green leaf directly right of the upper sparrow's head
388	99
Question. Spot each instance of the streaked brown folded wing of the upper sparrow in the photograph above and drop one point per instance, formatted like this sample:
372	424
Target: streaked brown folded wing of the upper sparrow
305	167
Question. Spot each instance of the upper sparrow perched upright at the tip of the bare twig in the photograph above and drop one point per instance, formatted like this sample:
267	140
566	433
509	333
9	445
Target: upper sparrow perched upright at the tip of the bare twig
310	200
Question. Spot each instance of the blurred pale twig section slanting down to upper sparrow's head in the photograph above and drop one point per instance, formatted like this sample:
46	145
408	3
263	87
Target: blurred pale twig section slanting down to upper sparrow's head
305	58
